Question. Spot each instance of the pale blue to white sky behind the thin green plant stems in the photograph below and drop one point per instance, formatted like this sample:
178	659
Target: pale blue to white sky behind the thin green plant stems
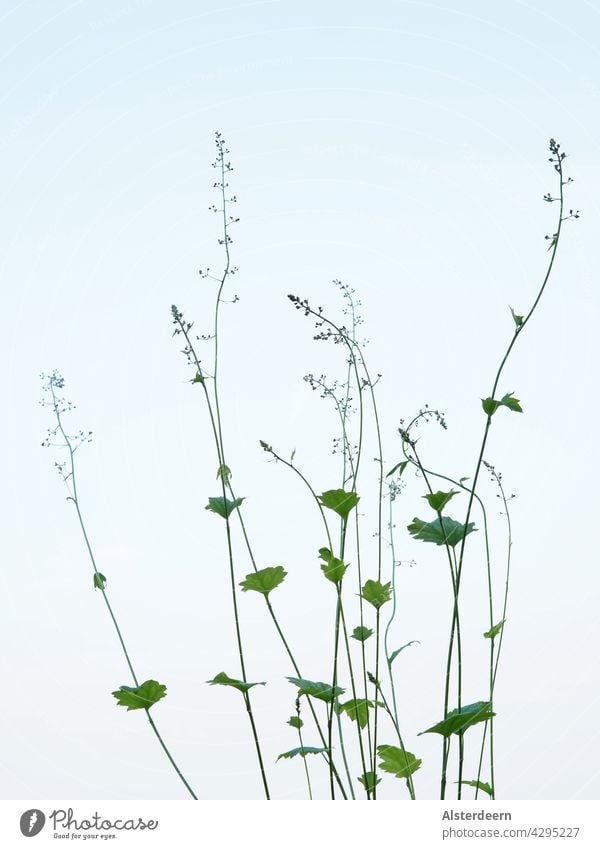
399	146
